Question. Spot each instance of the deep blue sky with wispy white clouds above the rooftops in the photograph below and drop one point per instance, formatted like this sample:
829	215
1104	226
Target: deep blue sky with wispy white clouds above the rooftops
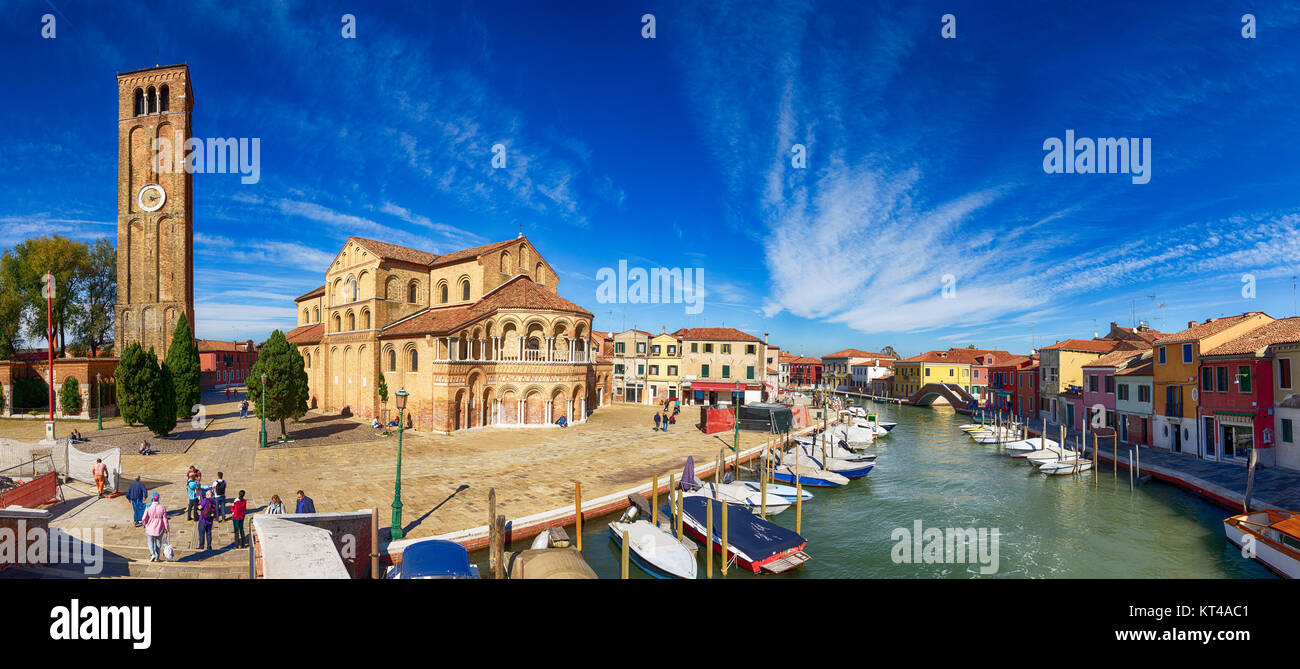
924	155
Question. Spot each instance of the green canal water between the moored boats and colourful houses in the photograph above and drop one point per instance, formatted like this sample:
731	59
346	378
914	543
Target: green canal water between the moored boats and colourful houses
929	471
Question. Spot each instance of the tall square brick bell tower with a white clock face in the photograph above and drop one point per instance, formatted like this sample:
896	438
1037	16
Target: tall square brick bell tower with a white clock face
155	220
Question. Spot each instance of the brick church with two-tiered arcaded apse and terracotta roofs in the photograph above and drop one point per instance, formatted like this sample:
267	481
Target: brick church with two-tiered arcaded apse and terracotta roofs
478	338
